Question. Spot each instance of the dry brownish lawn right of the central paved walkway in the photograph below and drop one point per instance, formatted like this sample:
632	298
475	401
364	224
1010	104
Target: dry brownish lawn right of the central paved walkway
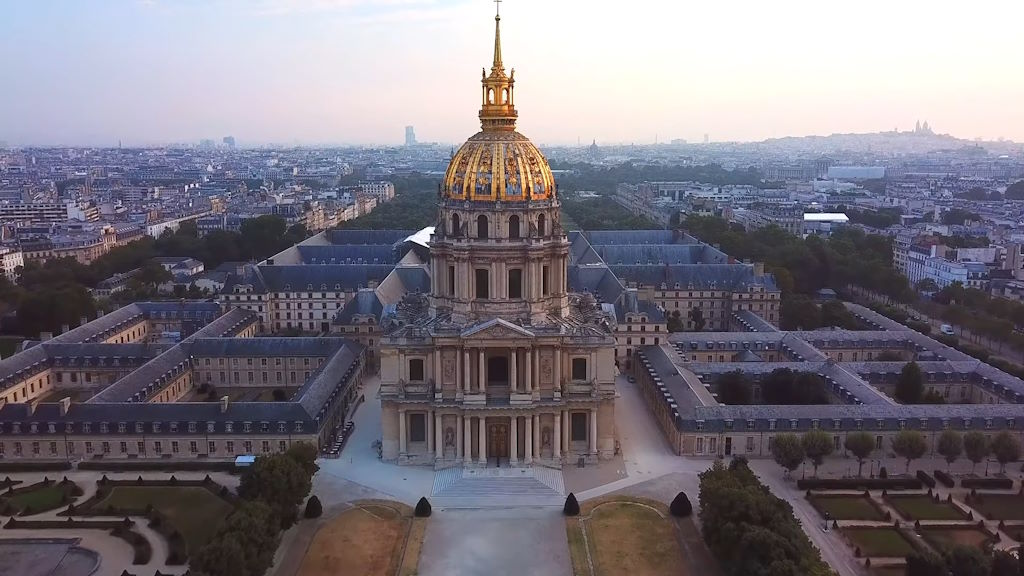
628	539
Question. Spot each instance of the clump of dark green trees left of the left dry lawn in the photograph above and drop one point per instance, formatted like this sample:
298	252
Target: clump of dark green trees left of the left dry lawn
272	490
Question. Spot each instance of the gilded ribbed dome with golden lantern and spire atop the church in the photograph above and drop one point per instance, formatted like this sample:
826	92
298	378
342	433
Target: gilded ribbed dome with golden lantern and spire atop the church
498	163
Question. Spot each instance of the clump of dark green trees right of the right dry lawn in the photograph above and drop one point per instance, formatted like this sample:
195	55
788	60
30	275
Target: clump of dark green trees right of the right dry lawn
750	530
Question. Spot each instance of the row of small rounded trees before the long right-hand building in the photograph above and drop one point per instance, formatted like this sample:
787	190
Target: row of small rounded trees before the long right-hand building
790	450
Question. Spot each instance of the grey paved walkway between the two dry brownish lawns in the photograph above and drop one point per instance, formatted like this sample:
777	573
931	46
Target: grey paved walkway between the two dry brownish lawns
496	543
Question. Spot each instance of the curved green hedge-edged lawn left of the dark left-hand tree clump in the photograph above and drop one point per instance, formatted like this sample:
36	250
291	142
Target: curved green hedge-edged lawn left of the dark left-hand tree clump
195	512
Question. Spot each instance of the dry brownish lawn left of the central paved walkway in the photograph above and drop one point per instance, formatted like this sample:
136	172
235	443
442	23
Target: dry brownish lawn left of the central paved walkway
366	541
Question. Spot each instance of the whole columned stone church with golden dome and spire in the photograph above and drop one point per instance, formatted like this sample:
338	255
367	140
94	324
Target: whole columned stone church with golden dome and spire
499	365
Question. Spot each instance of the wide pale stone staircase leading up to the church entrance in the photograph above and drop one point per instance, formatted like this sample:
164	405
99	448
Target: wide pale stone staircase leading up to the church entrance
489	488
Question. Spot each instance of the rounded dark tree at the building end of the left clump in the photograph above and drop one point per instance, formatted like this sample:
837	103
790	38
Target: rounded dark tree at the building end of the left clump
279	480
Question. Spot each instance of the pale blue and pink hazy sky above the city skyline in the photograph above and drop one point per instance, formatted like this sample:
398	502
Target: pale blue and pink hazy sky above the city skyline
357	72
